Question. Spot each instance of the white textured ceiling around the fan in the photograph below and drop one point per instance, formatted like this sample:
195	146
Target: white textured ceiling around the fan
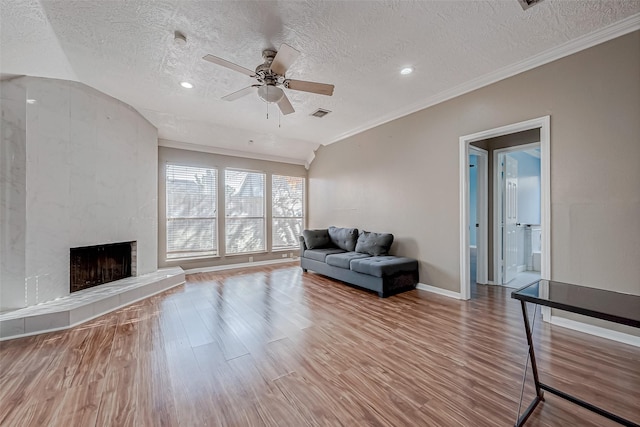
126	49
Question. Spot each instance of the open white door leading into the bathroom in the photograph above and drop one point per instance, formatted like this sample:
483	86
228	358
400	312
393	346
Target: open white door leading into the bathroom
510	219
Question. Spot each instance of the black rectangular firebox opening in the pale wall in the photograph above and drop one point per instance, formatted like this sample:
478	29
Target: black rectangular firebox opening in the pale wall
96	265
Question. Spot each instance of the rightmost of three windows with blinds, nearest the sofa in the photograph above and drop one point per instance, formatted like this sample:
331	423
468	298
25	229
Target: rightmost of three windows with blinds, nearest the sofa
287	194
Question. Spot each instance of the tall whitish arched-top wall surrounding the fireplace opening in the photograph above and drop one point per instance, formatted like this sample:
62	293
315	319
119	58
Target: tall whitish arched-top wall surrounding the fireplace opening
91	178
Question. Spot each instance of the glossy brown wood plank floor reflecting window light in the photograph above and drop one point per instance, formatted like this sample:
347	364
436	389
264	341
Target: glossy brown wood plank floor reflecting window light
272	346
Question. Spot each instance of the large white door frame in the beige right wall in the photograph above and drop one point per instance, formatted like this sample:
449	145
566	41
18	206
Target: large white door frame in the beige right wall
544	123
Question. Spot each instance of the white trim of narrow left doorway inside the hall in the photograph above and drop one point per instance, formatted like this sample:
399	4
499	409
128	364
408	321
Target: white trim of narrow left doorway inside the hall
482	213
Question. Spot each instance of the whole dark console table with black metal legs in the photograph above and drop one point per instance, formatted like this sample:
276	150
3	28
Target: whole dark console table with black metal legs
598	303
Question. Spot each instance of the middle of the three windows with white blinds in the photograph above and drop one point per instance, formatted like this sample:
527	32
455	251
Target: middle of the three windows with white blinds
245	212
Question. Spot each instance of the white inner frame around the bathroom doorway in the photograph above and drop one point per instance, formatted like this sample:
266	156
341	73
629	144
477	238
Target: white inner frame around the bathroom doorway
498	194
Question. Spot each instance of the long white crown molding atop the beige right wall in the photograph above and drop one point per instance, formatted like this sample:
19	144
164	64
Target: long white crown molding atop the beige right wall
620	28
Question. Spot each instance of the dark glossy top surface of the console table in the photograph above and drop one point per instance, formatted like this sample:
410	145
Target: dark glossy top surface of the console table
599	303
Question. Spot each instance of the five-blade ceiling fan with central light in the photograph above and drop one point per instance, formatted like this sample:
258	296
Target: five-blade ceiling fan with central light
271	78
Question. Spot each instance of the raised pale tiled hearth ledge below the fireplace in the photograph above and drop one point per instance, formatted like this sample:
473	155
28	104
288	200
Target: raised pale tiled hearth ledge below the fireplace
80	306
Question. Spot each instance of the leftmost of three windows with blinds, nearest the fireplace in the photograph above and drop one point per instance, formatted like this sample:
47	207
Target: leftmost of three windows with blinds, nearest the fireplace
191	211
